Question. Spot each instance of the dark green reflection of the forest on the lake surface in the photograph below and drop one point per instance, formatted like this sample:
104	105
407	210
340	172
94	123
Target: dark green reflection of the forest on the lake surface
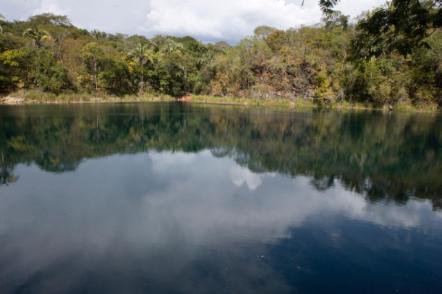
381	156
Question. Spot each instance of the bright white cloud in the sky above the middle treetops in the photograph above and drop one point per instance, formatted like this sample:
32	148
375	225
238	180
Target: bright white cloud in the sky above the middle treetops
228	19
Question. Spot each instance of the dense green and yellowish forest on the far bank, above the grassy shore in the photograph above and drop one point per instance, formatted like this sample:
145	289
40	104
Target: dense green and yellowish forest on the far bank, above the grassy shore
393	54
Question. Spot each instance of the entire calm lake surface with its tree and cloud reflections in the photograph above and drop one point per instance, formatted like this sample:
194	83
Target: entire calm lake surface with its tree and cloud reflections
173	198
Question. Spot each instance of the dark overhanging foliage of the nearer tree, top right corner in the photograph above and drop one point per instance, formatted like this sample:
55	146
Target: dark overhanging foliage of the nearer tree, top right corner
402	26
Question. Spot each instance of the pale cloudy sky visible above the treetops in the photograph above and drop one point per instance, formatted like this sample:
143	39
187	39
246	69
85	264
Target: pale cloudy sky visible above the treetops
206	20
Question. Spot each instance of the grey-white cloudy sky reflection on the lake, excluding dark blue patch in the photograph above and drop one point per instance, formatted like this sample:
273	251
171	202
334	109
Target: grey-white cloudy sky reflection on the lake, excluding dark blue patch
167	213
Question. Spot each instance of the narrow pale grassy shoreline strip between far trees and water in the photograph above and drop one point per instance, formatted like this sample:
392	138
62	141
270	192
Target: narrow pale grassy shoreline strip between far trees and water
277	103
